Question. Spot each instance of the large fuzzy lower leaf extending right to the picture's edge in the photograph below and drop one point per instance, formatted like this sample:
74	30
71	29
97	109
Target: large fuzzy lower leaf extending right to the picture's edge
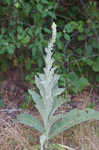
73	118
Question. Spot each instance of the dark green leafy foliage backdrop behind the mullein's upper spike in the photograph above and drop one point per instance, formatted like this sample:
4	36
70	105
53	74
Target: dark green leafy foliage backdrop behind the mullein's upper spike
25	31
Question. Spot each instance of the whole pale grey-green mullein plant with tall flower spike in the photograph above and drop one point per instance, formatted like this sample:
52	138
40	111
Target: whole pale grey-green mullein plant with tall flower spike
48	100
